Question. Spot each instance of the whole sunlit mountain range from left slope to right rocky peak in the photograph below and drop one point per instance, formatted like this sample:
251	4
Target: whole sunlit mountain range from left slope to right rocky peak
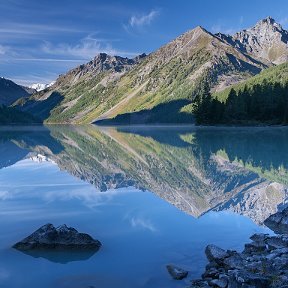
159	87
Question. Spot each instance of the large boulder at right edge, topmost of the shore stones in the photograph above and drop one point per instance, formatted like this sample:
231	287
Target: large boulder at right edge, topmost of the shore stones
278	222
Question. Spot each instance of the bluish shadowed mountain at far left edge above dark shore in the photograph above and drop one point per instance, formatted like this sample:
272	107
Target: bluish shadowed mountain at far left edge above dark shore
10	91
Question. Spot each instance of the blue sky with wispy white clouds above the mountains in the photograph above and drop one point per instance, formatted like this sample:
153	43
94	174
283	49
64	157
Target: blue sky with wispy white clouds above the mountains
41	39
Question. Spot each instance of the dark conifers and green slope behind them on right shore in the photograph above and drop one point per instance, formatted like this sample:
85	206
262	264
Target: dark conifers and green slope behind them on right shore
263	99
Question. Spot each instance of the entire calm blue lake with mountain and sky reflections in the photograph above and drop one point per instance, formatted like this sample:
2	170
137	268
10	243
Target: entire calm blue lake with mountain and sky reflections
152	196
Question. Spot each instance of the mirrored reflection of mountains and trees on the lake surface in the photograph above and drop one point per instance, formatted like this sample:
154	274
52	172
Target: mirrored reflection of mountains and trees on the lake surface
196	169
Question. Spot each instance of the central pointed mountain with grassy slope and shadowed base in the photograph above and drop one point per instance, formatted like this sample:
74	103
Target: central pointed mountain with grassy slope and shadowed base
177	71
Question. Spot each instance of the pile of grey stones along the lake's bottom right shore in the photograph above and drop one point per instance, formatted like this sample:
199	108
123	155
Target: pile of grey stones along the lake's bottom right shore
263	263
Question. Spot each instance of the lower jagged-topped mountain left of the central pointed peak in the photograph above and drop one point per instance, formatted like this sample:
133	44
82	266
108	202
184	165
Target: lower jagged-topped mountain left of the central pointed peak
73	95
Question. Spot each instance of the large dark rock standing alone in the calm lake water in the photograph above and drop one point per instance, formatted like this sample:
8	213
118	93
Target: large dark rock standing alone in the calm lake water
60	238
